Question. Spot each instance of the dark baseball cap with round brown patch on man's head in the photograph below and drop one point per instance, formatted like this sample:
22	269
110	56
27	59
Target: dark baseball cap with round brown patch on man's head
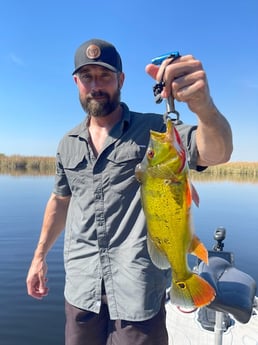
97	52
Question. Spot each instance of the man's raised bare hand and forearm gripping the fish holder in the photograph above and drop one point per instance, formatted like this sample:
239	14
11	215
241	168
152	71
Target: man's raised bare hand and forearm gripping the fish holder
185	80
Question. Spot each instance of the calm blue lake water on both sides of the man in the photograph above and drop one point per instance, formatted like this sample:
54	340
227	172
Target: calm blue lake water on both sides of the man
25	321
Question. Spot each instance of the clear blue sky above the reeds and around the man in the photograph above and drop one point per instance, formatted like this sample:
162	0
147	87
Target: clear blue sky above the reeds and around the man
39	100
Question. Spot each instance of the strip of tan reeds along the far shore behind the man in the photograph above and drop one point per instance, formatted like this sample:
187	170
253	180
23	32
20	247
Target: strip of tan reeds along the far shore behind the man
17	165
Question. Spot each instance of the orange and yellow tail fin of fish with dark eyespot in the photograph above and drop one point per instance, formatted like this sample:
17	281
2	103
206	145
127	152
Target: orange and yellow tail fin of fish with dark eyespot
194	292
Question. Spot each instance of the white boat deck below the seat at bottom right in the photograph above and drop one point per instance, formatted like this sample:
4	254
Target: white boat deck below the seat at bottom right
184	329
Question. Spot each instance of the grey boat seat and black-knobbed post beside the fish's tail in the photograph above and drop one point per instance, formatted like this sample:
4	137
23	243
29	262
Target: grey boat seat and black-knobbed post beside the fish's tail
235	290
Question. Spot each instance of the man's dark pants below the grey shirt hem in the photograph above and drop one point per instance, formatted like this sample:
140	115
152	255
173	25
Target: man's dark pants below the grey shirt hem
87	328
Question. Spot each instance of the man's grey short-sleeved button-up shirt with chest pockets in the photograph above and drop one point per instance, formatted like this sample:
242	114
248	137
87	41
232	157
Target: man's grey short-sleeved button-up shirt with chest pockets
105	237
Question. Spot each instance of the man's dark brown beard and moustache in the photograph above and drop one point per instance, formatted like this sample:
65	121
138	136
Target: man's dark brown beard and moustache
100	108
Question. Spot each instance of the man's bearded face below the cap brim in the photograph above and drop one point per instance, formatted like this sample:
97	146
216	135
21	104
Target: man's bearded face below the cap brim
99	89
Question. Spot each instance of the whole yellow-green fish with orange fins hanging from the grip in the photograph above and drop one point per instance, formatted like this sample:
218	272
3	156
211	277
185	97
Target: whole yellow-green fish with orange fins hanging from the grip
167	195
